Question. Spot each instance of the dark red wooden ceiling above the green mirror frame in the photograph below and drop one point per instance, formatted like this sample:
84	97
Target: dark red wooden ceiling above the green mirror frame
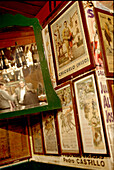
27	8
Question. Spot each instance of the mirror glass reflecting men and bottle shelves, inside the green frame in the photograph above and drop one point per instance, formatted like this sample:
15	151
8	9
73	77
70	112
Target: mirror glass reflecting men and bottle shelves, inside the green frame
21	80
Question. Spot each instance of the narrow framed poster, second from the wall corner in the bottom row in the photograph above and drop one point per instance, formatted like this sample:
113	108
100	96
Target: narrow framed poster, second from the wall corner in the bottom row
50	133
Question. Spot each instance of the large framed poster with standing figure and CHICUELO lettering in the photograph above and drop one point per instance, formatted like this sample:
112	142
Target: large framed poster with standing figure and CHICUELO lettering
70	43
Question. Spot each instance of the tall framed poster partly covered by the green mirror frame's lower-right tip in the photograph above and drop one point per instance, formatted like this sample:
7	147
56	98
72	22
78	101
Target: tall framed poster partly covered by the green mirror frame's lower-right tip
67	123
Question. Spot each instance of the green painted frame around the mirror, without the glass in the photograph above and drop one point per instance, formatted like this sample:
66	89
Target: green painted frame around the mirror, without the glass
52	98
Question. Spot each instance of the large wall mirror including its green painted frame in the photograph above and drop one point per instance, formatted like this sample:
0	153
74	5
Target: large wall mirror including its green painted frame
24	74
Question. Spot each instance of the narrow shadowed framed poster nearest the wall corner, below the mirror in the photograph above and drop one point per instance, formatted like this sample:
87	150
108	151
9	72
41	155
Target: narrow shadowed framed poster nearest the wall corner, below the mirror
37	137
